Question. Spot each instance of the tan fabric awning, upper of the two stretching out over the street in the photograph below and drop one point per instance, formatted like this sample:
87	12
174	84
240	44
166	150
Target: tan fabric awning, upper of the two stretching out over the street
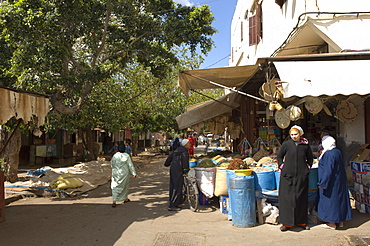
226	76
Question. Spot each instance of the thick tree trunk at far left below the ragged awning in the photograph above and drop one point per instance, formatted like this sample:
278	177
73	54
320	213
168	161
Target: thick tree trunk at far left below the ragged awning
12	157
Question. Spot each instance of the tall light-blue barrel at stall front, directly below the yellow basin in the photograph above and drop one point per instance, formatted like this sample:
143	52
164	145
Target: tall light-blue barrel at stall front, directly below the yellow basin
243	201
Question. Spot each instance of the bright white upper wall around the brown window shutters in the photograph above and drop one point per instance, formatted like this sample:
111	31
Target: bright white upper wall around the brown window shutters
277	24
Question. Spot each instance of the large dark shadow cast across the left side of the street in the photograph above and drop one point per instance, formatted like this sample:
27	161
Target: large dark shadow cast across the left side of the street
76	222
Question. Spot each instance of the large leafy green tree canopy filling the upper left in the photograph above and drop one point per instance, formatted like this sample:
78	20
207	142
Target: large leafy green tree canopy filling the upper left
72	49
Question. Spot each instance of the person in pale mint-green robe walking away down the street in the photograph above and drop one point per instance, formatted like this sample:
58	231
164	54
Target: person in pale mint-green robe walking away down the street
122	168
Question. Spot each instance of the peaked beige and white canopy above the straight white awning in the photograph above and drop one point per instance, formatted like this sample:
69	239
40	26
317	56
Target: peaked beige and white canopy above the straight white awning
339	33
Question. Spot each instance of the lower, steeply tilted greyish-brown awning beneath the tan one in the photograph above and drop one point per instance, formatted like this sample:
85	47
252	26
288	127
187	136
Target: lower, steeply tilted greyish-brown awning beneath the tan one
209	110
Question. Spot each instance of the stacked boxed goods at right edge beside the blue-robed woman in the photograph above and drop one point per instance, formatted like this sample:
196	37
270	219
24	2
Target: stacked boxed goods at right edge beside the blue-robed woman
360	167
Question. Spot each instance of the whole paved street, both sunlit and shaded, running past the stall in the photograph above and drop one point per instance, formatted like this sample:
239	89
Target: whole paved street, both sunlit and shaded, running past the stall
90	220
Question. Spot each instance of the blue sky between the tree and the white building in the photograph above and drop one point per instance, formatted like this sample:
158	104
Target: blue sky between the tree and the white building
223	11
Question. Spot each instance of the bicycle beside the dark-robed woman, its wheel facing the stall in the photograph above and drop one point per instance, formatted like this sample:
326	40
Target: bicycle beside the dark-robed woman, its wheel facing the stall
190	190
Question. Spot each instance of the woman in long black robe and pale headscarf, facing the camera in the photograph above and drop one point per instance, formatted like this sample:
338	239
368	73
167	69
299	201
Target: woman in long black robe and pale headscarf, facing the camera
295	160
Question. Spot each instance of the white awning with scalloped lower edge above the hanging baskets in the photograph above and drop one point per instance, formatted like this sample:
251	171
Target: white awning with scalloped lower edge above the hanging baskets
316	78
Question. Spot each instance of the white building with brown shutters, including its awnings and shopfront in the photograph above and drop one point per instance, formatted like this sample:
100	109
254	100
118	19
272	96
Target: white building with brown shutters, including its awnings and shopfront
320	49
